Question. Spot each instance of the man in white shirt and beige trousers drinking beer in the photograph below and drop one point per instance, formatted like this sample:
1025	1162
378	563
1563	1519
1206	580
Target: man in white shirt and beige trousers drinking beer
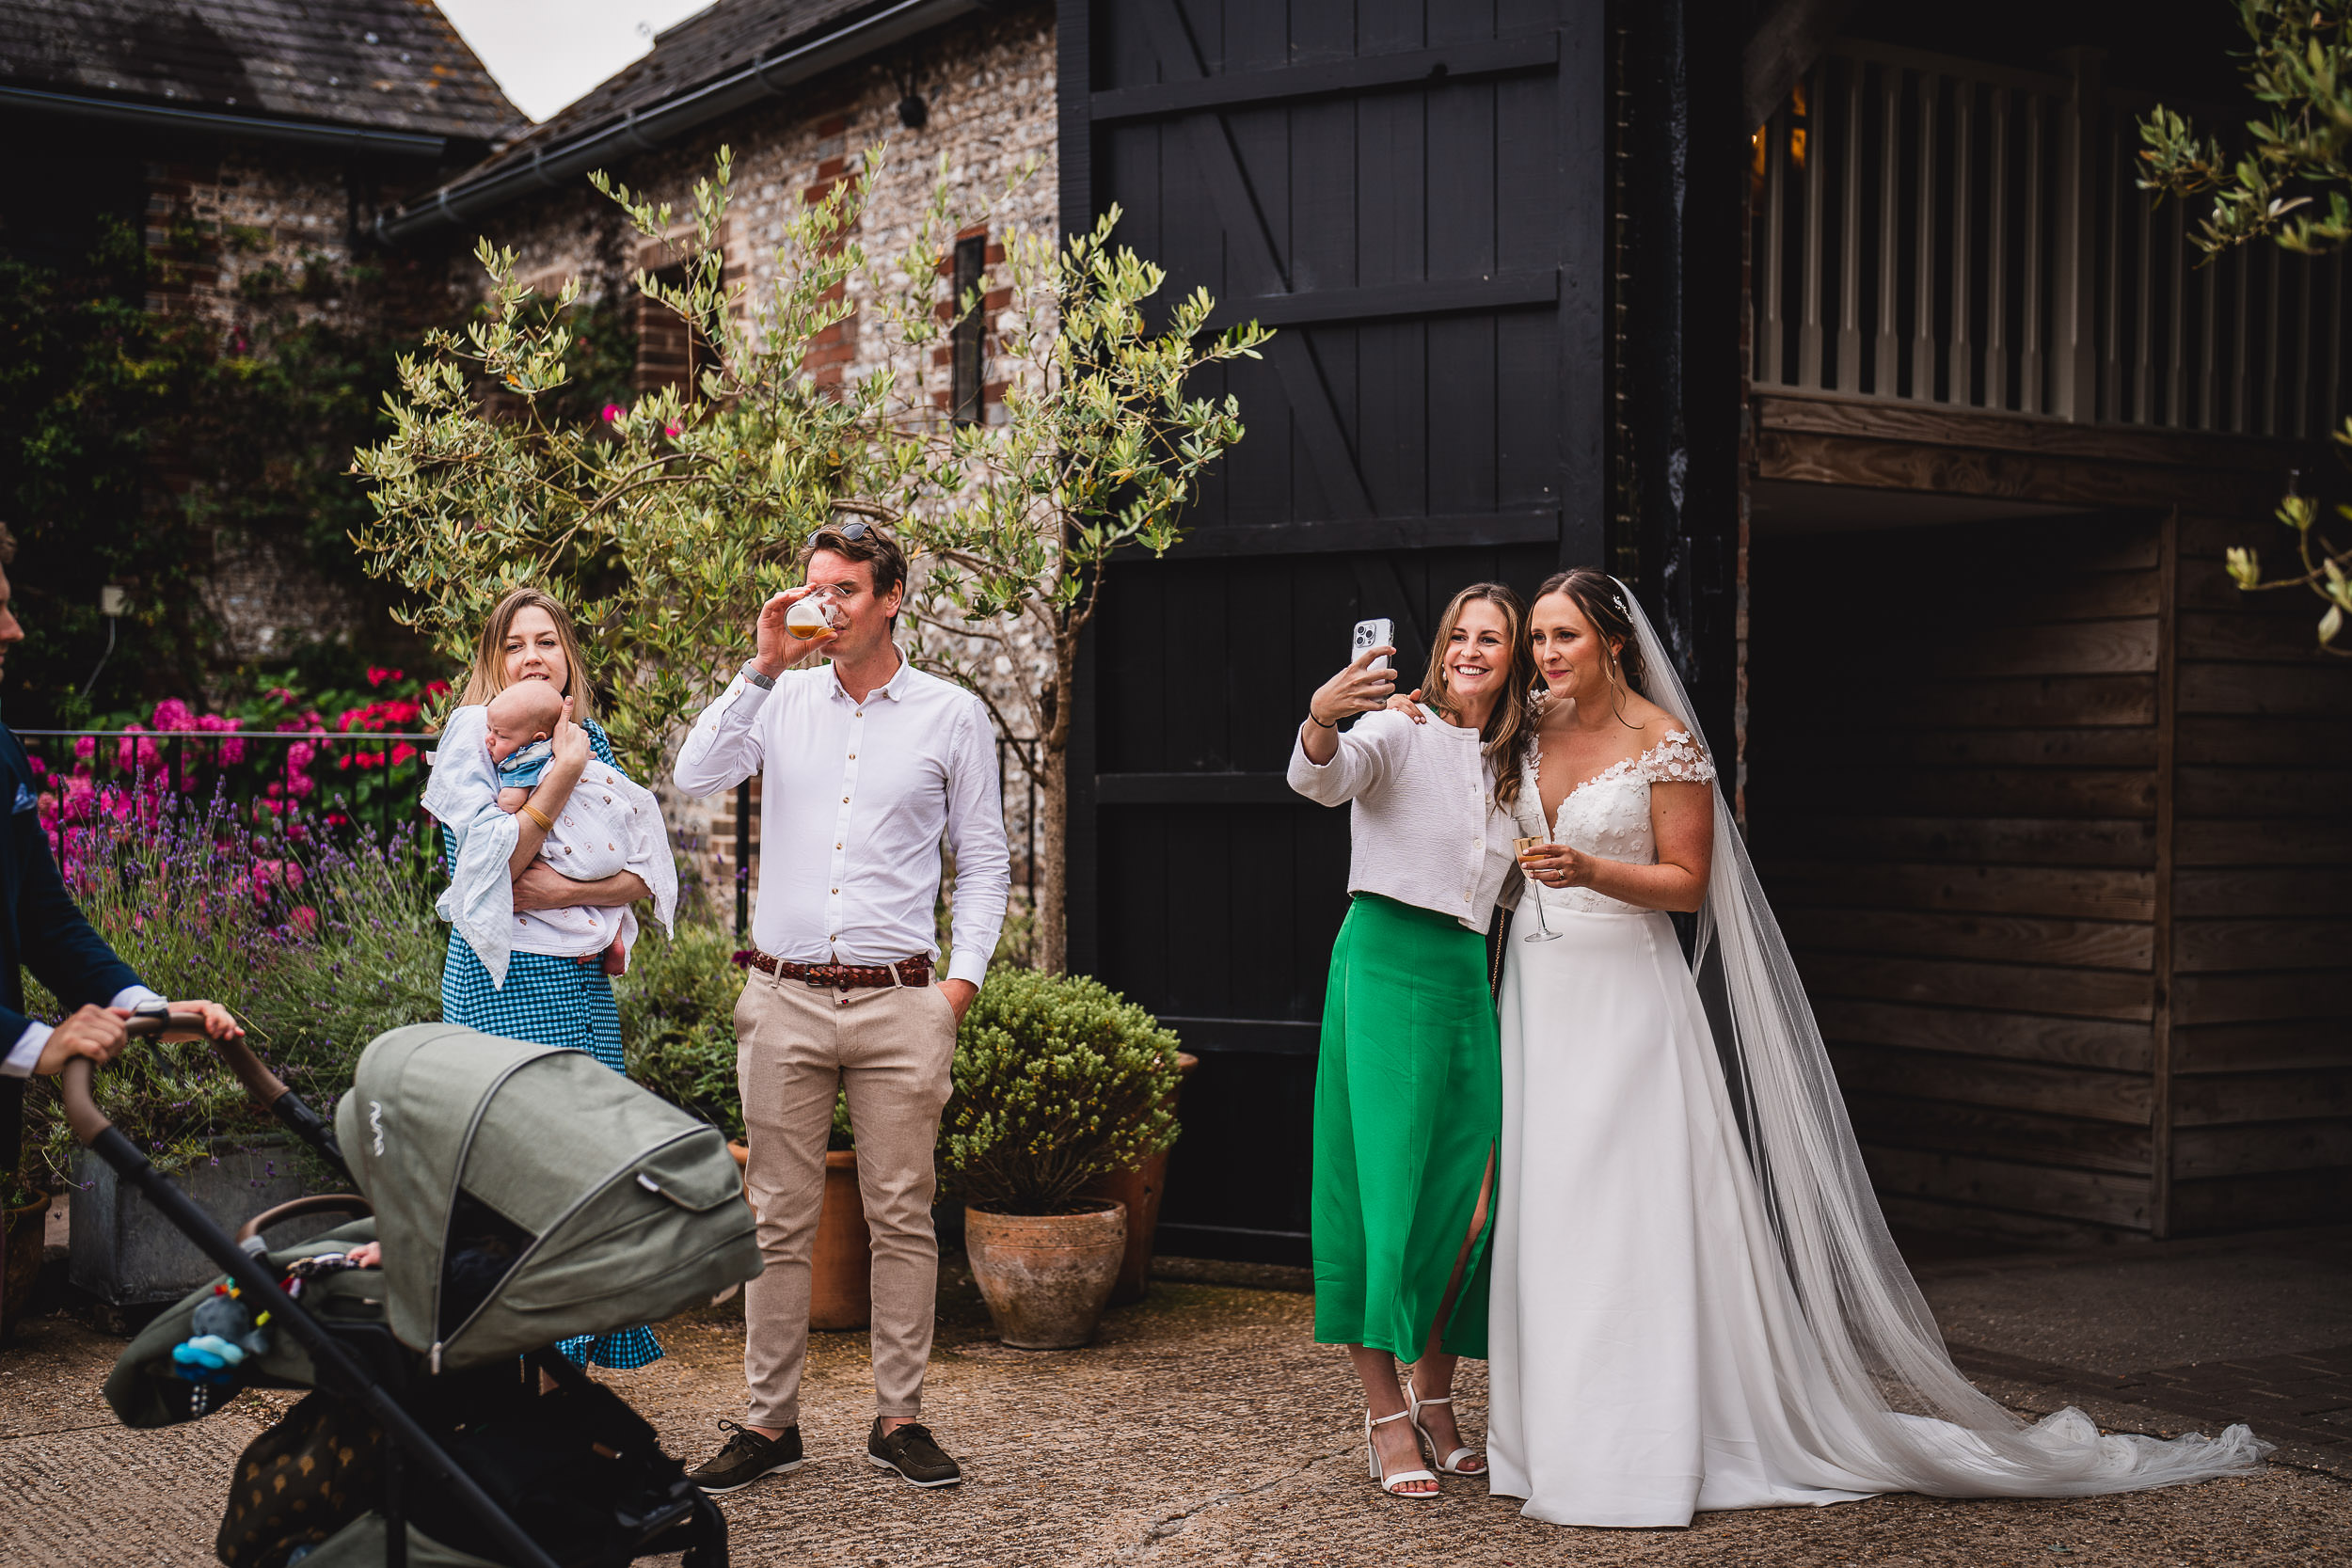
869	765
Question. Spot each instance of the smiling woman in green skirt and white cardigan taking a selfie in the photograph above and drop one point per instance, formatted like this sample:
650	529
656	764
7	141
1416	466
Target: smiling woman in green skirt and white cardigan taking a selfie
1408	1087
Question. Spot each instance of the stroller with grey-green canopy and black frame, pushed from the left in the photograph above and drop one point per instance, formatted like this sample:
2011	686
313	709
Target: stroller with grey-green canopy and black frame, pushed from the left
446	1430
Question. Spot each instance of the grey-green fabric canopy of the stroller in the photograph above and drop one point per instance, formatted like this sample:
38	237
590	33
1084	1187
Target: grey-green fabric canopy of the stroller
629	1207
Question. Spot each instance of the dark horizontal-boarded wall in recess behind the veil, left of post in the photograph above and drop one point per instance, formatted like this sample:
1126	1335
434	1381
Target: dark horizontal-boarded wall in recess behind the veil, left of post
1970	880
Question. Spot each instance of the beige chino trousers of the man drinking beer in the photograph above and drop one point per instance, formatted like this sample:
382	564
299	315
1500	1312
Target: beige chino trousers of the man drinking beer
890	1052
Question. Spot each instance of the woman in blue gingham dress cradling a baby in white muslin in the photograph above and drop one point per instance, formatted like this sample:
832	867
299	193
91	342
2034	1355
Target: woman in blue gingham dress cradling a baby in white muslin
528	789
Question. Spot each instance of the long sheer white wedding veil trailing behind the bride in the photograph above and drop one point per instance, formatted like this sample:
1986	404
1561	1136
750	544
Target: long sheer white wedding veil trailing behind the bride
1895	1407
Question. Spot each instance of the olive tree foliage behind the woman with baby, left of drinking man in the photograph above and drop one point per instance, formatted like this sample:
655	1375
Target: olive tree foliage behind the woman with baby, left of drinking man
662	525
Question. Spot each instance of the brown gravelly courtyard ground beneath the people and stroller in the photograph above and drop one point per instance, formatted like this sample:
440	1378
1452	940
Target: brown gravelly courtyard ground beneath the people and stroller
1205	1428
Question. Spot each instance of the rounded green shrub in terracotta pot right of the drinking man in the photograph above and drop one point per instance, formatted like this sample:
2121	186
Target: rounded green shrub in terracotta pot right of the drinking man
1057	1083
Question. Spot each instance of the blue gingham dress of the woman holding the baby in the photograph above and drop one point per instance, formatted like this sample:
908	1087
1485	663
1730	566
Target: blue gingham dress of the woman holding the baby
549	1003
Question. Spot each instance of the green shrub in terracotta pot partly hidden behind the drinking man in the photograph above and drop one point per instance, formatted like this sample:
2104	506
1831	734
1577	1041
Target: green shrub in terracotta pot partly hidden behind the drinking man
679	1038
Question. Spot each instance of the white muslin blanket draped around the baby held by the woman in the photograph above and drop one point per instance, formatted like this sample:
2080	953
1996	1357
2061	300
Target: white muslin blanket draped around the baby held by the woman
610	826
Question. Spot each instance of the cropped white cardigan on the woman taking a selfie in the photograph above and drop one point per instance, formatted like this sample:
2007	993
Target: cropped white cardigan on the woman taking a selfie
1426	829
